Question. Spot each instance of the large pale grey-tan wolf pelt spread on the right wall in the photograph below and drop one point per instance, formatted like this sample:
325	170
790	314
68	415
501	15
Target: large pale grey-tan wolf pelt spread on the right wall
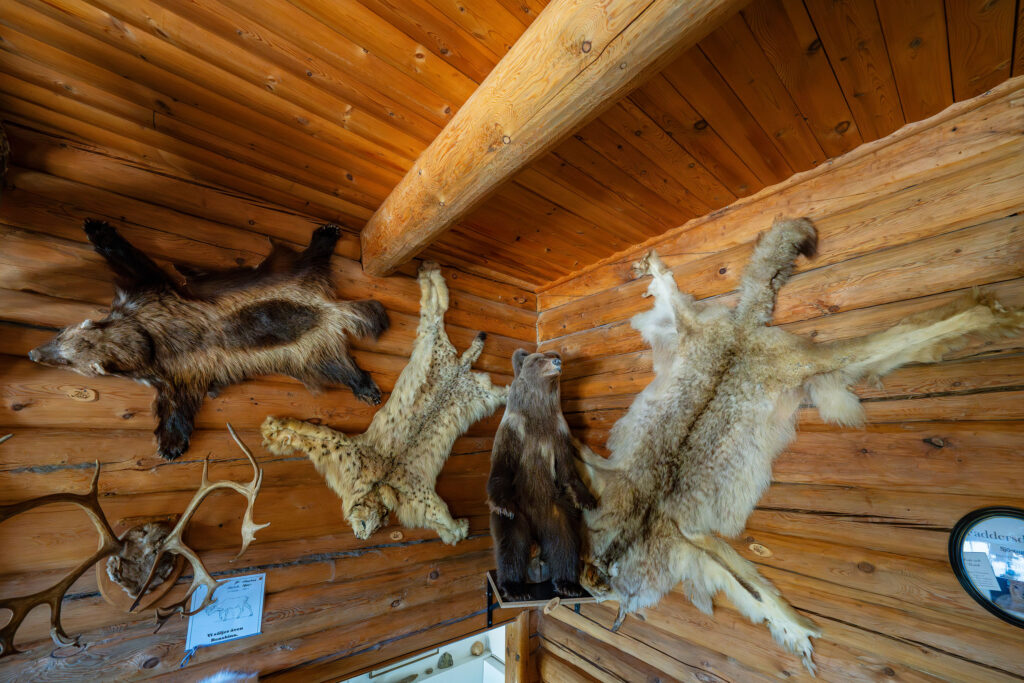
694	454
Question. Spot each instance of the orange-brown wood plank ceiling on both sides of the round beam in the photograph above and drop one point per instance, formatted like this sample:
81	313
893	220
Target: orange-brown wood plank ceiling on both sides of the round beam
323	106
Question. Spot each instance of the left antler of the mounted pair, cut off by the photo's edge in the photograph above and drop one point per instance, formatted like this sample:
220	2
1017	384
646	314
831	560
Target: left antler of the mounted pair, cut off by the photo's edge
21	607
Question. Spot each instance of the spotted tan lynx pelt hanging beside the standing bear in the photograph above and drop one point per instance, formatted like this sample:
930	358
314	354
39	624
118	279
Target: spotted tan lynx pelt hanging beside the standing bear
395	464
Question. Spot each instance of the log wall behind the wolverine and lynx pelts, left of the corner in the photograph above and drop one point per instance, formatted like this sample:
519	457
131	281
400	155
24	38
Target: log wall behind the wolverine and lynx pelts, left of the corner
335	606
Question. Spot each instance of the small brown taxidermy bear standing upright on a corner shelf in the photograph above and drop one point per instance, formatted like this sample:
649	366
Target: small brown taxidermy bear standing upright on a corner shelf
535	492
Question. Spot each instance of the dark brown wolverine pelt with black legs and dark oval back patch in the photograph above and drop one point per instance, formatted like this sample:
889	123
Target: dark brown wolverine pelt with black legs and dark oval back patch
219	329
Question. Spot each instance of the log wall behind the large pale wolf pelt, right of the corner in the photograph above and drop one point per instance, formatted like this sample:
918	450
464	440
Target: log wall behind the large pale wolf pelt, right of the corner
857	522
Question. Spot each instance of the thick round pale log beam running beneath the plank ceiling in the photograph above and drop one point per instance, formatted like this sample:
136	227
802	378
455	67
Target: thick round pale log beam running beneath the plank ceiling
575	61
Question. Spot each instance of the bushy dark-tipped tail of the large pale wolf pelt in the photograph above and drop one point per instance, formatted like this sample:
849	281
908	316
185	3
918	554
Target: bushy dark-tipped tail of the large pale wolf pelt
772	266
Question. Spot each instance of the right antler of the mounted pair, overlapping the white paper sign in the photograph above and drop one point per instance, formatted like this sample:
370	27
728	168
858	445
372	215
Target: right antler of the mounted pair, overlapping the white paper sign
174	543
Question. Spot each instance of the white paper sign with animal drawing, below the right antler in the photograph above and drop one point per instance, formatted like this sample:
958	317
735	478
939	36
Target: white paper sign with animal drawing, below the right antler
236	613
